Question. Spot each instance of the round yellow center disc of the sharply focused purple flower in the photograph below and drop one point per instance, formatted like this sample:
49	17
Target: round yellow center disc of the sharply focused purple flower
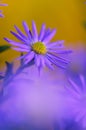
39	48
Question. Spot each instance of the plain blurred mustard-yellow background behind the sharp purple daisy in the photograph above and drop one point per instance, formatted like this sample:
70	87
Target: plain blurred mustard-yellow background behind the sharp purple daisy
65	15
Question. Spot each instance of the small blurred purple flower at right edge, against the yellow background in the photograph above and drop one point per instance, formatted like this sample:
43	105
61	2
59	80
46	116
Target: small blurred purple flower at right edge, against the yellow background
78	64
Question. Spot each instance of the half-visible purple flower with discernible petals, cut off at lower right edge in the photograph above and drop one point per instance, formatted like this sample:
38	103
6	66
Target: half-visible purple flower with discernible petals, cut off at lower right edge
77	100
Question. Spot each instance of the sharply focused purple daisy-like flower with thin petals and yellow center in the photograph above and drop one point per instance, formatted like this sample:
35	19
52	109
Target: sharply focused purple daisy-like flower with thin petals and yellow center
38	46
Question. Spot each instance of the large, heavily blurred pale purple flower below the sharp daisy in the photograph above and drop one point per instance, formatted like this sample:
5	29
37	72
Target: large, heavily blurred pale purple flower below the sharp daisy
35	102
